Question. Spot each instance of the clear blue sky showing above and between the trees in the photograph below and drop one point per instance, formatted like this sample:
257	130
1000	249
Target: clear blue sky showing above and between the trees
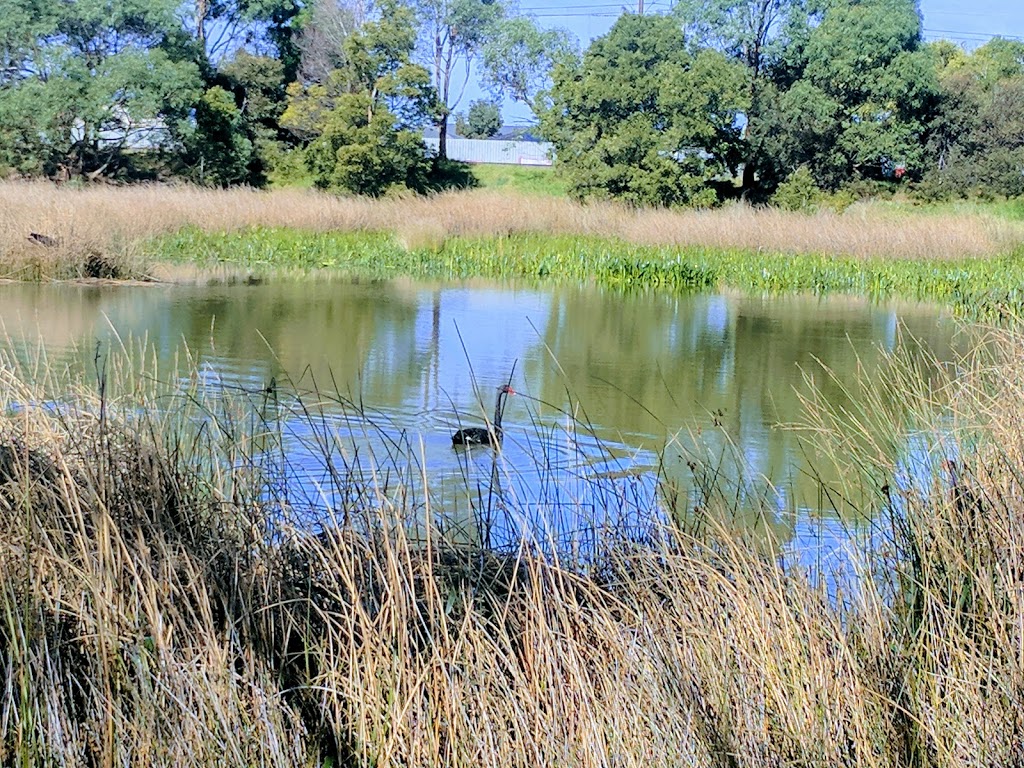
969	24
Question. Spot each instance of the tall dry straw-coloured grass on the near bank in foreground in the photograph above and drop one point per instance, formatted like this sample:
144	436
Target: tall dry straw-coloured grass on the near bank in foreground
162	604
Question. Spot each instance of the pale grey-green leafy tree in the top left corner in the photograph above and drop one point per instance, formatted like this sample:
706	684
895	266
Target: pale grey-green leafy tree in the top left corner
86	82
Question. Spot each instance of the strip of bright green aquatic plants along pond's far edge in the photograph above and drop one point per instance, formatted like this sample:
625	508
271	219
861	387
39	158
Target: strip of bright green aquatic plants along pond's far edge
974	287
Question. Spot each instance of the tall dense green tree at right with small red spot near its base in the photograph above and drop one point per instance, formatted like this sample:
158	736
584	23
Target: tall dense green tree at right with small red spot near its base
863	103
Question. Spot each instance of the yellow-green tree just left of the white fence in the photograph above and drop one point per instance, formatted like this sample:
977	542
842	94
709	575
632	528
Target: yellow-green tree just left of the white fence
364	122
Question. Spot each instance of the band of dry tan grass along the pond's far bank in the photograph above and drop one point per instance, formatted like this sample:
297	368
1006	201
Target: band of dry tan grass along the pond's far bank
109	224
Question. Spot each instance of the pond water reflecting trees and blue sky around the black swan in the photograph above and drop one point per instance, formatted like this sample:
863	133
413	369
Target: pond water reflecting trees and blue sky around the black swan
613	387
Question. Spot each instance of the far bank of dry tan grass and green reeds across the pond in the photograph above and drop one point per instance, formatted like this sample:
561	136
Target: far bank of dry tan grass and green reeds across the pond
112	233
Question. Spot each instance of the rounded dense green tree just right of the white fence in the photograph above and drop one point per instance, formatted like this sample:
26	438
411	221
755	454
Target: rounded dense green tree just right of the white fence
642	119
